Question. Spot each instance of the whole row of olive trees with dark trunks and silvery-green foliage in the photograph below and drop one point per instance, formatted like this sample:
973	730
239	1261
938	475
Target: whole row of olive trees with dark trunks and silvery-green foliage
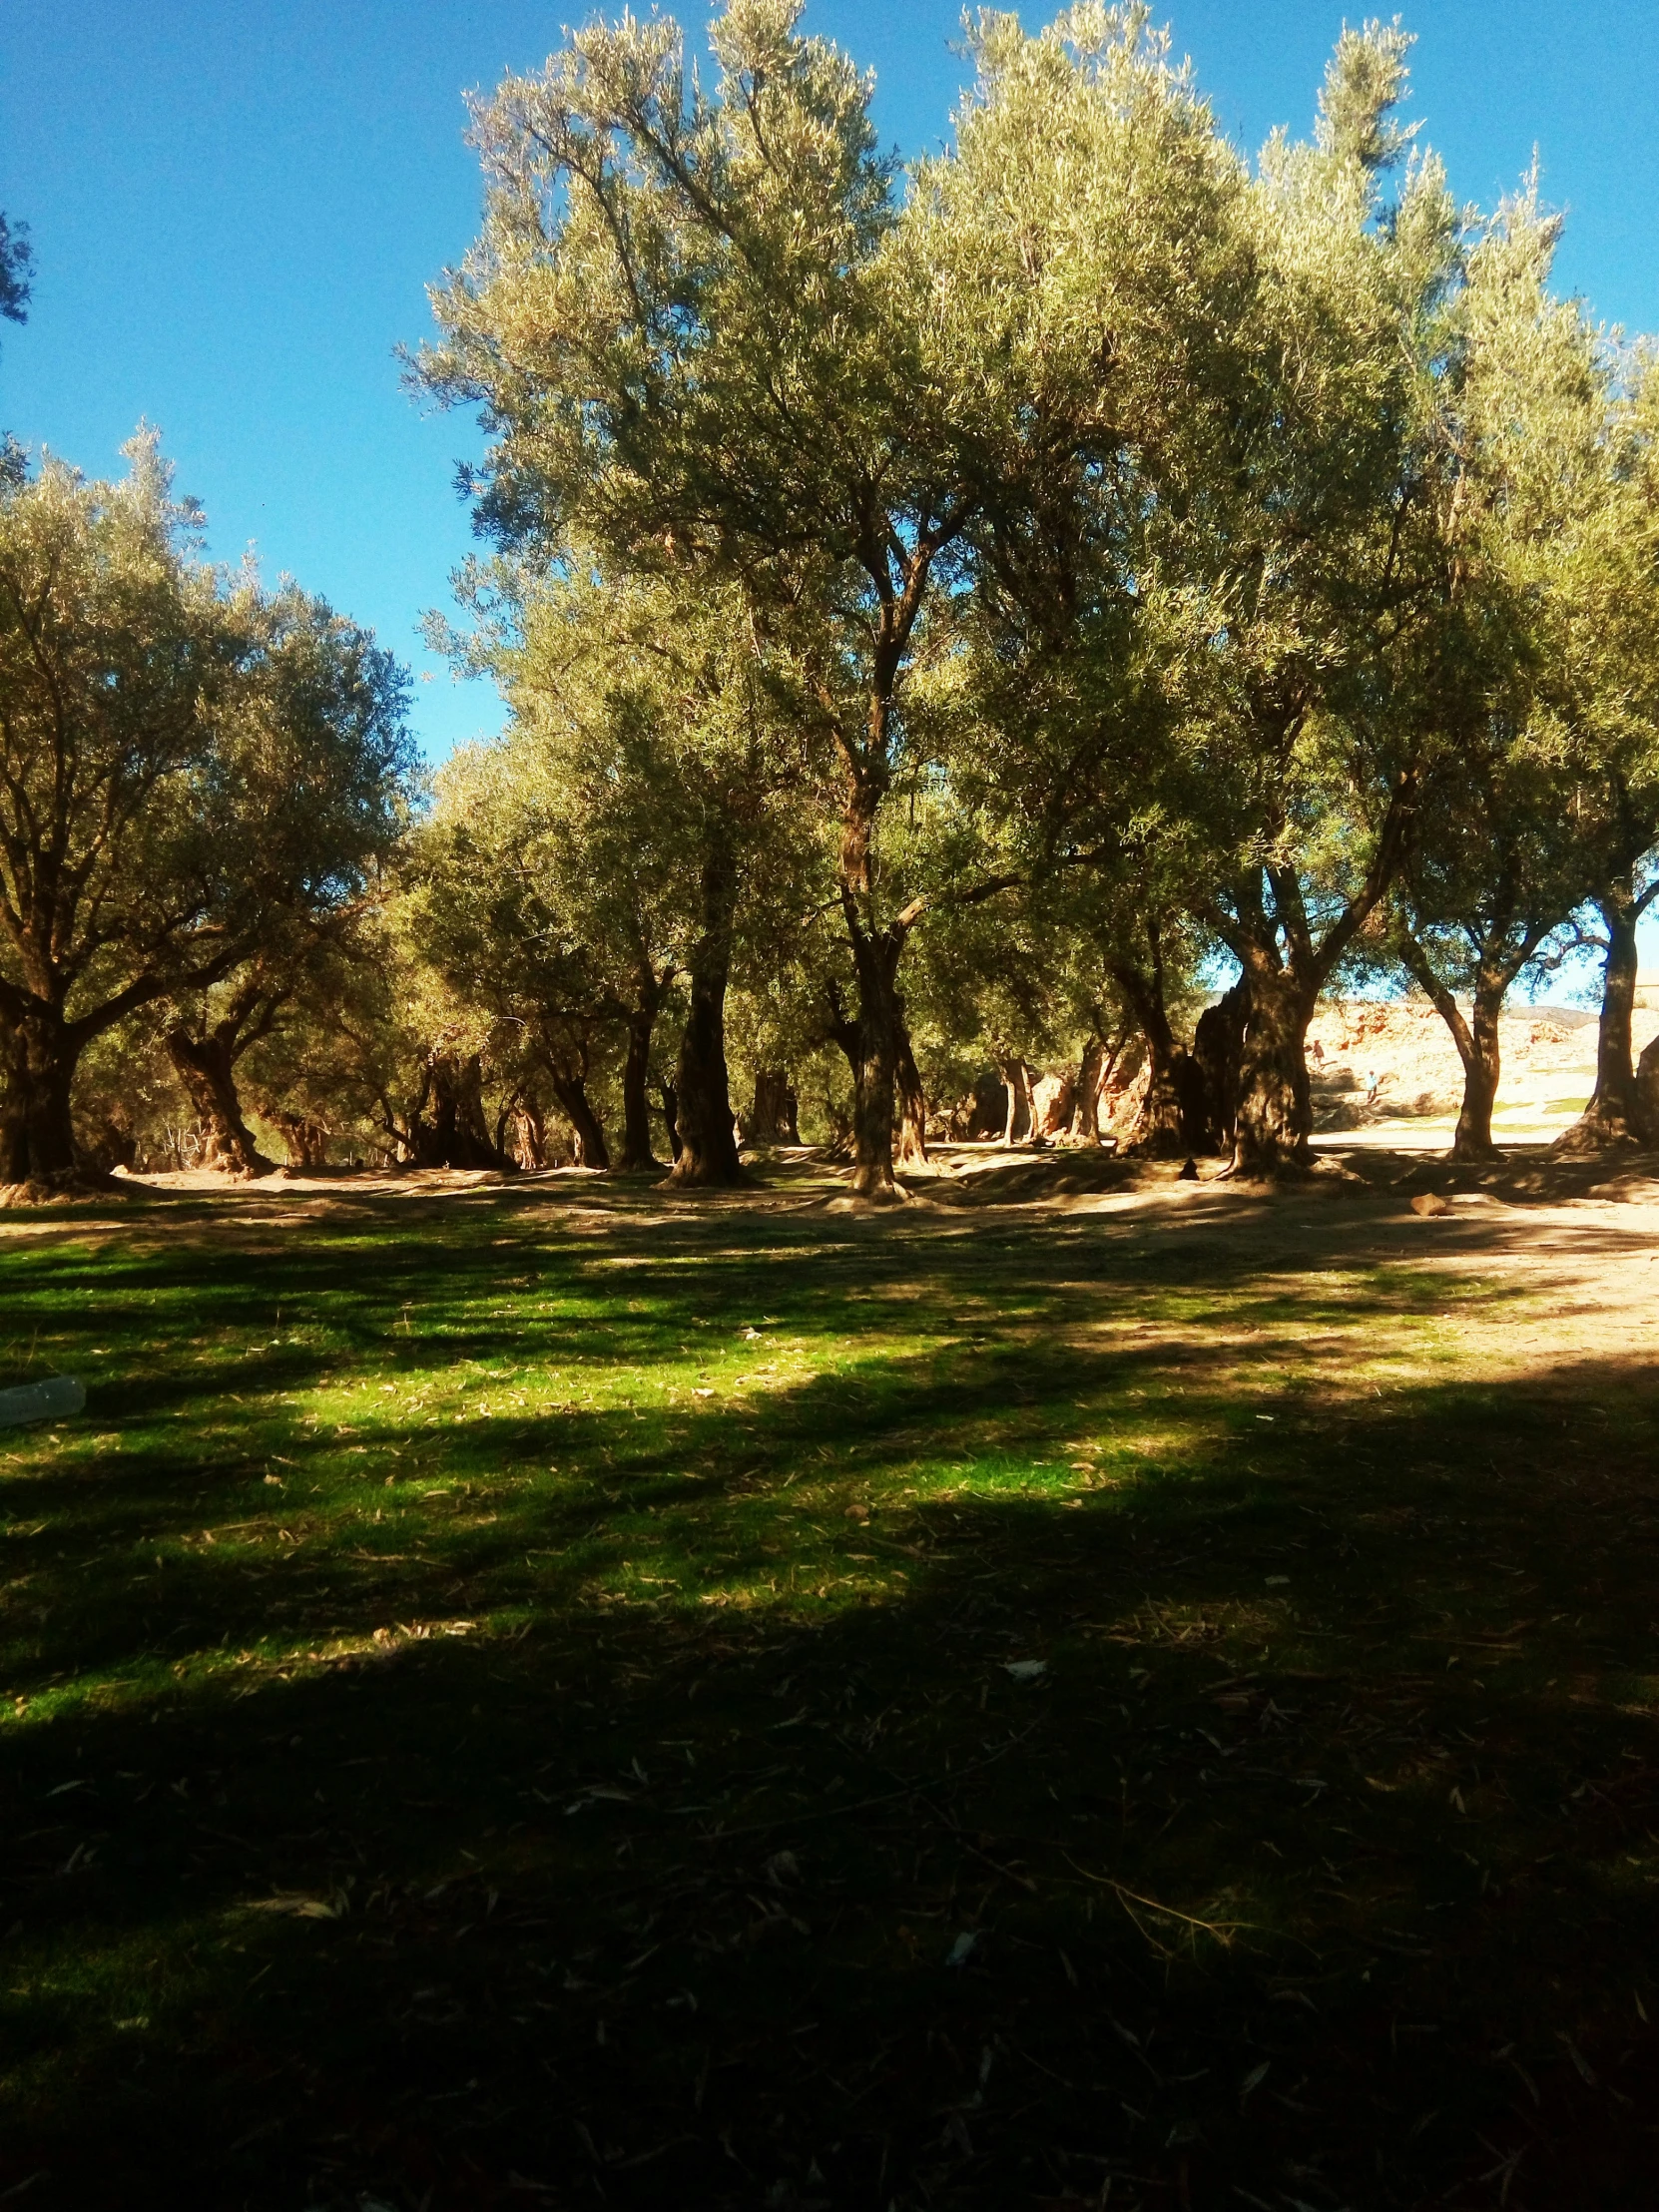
948	618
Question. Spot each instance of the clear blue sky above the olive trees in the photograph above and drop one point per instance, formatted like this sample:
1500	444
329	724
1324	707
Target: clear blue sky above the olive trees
236	209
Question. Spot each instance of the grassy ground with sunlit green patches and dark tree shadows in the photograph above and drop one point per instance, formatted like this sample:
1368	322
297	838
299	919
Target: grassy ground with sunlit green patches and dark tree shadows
556	1695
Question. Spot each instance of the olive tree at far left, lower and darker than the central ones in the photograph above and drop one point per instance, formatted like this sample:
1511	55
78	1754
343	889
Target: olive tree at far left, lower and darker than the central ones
187	762
